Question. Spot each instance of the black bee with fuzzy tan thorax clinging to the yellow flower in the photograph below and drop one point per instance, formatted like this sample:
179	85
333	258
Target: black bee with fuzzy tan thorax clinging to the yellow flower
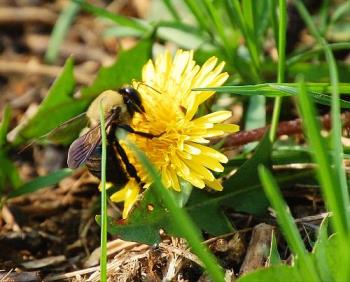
119	108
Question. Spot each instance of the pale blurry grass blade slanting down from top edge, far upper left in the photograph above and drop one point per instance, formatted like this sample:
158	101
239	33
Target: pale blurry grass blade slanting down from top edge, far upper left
60	30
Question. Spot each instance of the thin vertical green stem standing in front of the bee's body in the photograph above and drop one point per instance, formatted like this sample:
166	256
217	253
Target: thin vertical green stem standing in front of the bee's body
103	256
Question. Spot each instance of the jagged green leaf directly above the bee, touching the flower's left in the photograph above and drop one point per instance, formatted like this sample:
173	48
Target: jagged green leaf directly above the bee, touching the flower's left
127	67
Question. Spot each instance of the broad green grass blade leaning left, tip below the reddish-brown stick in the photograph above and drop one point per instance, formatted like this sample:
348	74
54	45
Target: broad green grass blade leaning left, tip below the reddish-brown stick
286	222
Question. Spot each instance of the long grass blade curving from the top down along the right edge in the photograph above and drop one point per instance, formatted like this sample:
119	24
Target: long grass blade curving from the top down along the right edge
337	147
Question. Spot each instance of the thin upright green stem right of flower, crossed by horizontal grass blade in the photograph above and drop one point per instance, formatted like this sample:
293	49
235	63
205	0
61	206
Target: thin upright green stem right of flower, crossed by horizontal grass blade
281	65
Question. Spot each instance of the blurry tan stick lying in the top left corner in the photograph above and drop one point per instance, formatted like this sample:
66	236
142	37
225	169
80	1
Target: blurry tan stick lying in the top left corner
10	15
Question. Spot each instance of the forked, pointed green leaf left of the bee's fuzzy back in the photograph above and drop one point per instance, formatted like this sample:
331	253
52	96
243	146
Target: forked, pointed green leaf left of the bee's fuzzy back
57	107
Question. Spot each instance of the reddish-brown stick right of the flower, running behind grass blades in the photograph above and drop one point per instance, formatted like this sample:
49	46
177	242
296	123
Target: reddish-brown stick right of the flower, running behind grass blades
284	128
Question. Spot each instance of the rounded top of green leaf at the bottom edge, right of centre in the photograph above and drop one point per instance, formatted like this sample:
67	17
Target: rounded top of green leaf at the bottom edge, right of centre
280	273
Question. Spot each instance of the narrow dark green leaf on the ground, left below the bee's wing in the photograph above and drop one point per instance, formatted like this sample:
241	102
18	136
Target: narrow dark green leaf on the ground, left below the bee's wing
41	182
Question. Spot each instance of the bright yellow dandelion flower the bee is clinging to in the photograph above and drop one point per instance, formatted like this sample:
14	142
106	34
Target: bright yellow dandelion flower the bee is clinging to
171	106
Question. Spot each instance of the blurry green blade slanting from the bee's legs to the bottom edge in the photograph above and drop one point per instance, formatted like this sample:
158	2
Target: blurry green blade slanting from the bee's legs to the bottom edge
185	224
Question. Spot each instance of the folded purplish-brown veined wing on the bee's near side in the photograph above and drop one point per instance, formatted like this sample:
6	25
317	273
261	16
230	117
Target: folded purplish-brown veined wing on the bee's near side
82	148
